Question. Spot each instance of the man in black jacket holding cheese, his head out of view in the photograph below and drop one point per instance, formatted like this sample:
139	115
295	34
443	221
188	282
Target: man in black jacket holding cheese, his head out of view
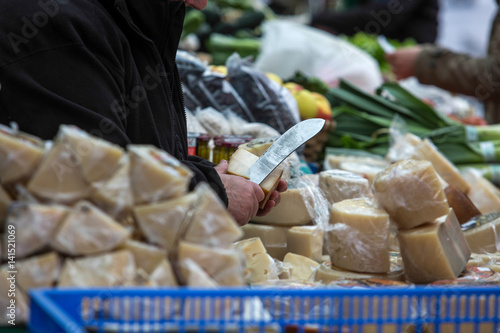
108	67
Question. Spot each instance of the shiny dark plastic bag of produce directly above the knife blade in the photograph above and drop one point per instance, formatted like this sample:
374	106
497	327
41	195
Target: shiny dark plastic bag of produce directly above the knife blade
268	101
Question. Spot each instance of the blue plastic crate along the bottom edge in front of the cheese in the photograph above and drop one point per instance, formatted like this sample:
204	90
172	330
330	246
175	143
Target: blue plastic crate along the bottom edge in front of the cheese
377	310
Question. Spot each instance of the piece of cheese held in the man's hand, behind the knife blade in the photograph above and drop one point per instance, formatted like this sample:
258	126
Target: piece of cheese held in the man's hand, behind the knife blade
239	165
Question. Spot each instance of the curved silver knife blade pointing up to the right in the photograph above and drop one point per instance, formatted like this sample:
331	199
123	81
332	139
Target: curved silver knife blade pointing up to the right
285	145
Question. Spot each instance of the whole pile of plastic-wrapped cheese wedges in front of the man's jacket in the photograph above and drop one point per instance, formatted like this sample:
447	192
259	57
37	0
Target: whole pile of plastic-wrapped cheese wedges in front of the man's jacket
84	212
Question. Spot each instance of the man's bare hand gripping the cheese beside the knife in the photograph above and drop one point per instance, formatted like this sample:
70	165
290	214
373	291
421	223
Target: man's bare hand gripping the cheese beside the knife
244	196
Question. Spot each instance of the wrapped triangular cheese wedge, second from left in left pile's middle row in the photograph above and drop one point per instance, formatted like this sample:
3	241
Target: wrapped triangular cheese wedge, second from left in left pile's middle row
87	230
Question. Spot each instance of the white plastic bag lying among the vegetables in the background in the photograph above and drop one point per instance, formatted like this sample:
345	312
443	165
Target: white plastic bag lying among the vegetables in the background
288	47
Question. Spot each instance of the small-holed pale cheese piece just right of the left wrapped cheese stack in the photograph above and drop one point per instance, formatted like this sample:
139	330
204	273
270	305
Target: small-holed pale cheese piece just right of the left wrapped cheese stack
259	266
